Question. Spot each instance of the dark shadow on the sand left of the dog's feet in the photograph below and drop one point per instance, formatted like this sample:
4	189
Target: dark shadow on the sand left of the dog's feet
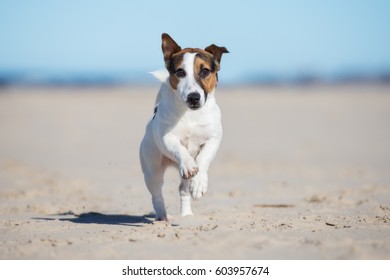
103	219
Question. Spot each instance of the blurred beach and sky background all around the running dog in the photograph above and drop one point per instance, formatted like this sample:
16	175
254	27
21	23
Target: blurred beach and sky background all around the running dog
303	168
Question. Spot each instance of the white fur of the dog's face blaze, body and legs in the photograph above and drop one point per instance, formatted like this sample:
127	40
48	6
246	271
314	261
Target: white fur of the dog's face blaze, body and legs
180	136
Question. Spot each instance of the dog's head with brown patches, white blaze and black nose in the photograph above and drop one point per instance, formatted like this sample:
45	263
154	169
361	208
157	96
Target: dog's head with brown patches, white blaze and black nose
192	71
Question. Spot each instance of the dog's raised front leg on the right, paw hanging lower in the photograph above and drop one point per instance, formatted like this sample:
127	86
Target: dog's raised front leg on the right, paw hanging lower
199	183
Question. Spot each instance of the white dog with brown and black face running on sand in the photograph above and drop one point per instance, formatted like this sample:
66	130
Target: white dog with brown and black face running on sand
185	130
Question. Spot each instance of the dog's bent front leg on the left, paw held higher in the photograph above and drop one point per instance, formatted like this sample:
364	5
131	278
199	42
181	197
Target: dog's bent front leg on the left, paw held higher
173	149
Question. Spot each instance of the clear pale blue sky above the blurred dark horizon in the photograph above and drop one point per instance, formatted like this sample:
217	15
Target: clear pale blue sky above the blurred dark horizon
263	37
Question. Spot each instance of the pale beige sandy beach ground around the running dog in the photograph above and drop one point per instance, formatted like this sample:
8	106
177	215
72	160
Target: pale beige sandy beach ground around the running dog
302	173
